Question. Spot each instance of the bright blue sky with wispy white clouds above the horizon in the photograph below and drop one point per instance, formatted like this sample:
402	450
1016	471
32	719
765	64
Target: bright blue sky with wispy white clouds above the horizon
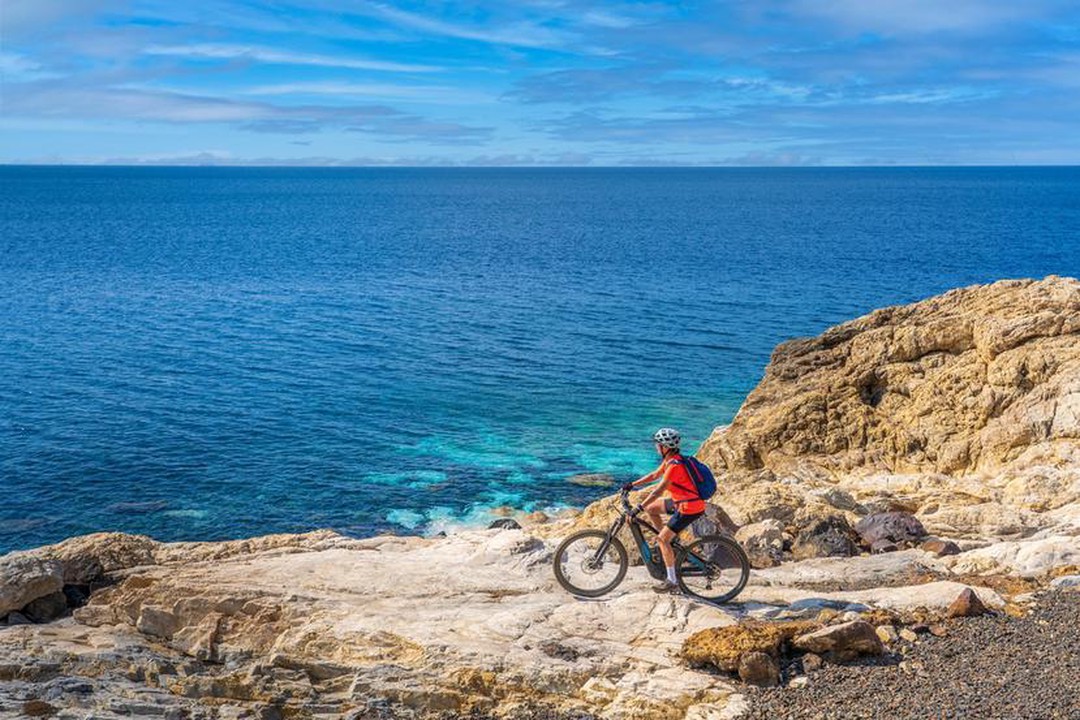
542	83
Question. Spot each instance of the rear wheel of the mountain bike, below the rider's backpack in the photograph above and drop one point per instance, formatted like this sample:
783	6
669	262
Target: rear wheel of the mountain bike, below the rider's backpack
713	568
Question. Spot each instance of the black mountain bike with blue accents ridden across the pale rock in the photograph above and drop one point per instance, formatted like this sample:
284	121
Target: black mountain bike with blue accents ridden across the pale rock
593	563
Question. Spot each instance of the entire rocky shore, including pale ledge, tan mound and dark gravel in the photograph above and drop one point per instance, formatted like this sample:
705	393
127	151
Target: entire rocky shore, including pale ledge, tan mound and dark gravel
908	486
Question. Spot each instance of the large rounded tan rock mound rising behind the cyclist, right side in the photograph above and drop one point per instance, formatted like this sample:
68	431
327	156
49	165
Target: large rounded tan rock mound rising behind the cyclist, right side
964	410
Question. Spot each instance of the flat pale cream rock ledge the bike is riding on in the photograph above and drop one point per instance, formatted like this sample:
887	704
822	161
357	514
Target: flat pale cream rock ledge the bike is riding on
474	626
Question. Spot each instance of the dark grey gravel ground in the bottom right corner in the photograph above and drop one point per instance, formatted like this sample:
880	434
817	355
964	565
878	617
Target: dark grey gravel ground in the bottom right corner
987	669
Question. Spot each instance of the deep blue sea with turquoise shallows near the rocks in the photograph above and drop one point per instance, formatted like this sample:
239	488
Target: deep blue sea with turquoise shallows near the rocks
207	354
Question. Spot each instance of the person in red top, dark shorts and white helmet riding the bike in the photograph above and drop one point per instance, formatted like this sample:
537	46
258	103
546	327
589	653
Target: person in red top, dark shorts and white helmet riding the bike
683	505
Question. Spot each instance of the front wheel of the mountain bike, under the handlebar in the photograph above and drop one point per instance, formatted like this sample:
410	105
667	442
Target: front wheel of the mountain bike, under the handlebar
583	569
